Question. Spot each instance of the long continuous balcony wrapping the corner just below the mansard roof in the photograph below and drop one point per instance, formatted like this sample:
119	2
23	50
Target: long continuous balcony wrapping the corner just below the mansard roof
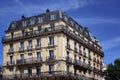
57	29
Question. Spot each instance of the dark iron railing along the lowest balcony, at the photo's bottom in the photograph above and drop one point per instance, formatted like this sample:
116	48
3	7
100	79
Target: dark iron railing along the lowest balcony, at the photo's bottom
46	74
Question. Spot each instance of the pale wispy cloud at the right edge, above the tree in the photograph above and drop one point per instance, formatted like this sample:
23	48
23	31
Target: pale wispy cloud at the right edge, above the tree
109	44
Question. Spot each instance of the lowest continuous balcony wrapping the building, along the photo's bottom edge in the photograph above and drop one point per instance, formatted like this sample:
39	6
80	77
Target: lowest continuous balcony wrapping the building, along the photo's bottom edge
57	75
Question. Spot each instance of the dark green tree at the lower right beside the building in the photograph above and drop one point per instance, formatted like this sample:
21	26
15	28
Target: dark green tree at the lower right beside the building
113	71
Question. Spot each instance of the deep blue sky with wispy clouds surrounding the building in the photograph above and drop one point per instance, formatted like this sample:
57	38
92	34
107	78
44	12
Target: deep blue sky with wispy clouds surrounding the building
102	17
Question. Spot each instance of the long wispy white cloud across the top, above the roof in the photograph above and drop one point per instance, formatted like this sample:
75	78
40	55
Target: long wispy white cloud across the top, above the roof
30	8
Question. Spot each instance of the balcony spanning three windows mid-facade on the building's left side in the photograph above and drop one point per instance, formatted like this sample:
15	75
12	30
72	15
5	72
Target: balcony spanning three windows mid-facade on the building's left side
34	60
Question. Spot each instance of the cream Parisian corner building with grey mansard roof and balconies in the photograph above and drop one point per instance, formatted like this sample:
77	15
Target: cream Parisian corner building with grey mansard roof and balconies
51	46
